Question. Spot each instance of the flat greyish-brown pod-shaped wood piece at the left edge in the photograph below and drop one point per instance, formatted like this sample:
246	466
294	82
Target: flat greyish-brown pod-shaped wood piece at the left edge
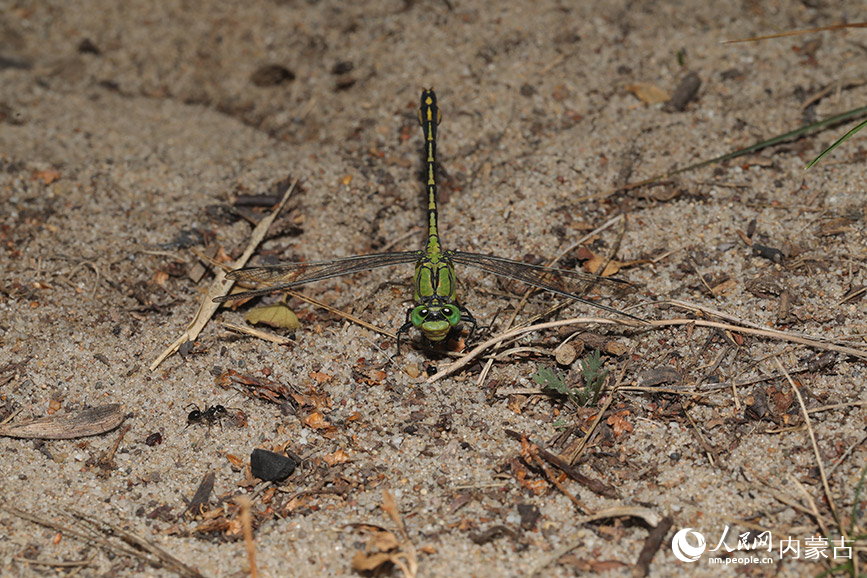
89	422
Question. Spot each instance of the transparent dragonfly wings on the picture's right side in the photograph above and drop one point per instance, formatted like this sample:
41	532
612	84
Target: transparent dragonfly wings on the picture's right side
571	284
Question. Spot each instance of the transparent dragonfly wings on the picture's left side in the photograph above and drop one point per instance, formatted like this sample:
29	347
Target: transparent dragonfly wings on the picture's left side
288	275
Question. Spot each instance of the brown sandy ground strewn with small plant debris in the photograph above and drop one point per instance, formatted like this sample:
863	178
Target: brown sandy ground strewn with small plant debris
126	133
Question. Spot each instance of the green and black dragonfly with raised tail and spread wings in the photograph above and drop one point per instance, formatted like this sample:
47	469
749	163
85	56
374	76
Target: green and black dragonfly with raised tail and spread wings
437	311
